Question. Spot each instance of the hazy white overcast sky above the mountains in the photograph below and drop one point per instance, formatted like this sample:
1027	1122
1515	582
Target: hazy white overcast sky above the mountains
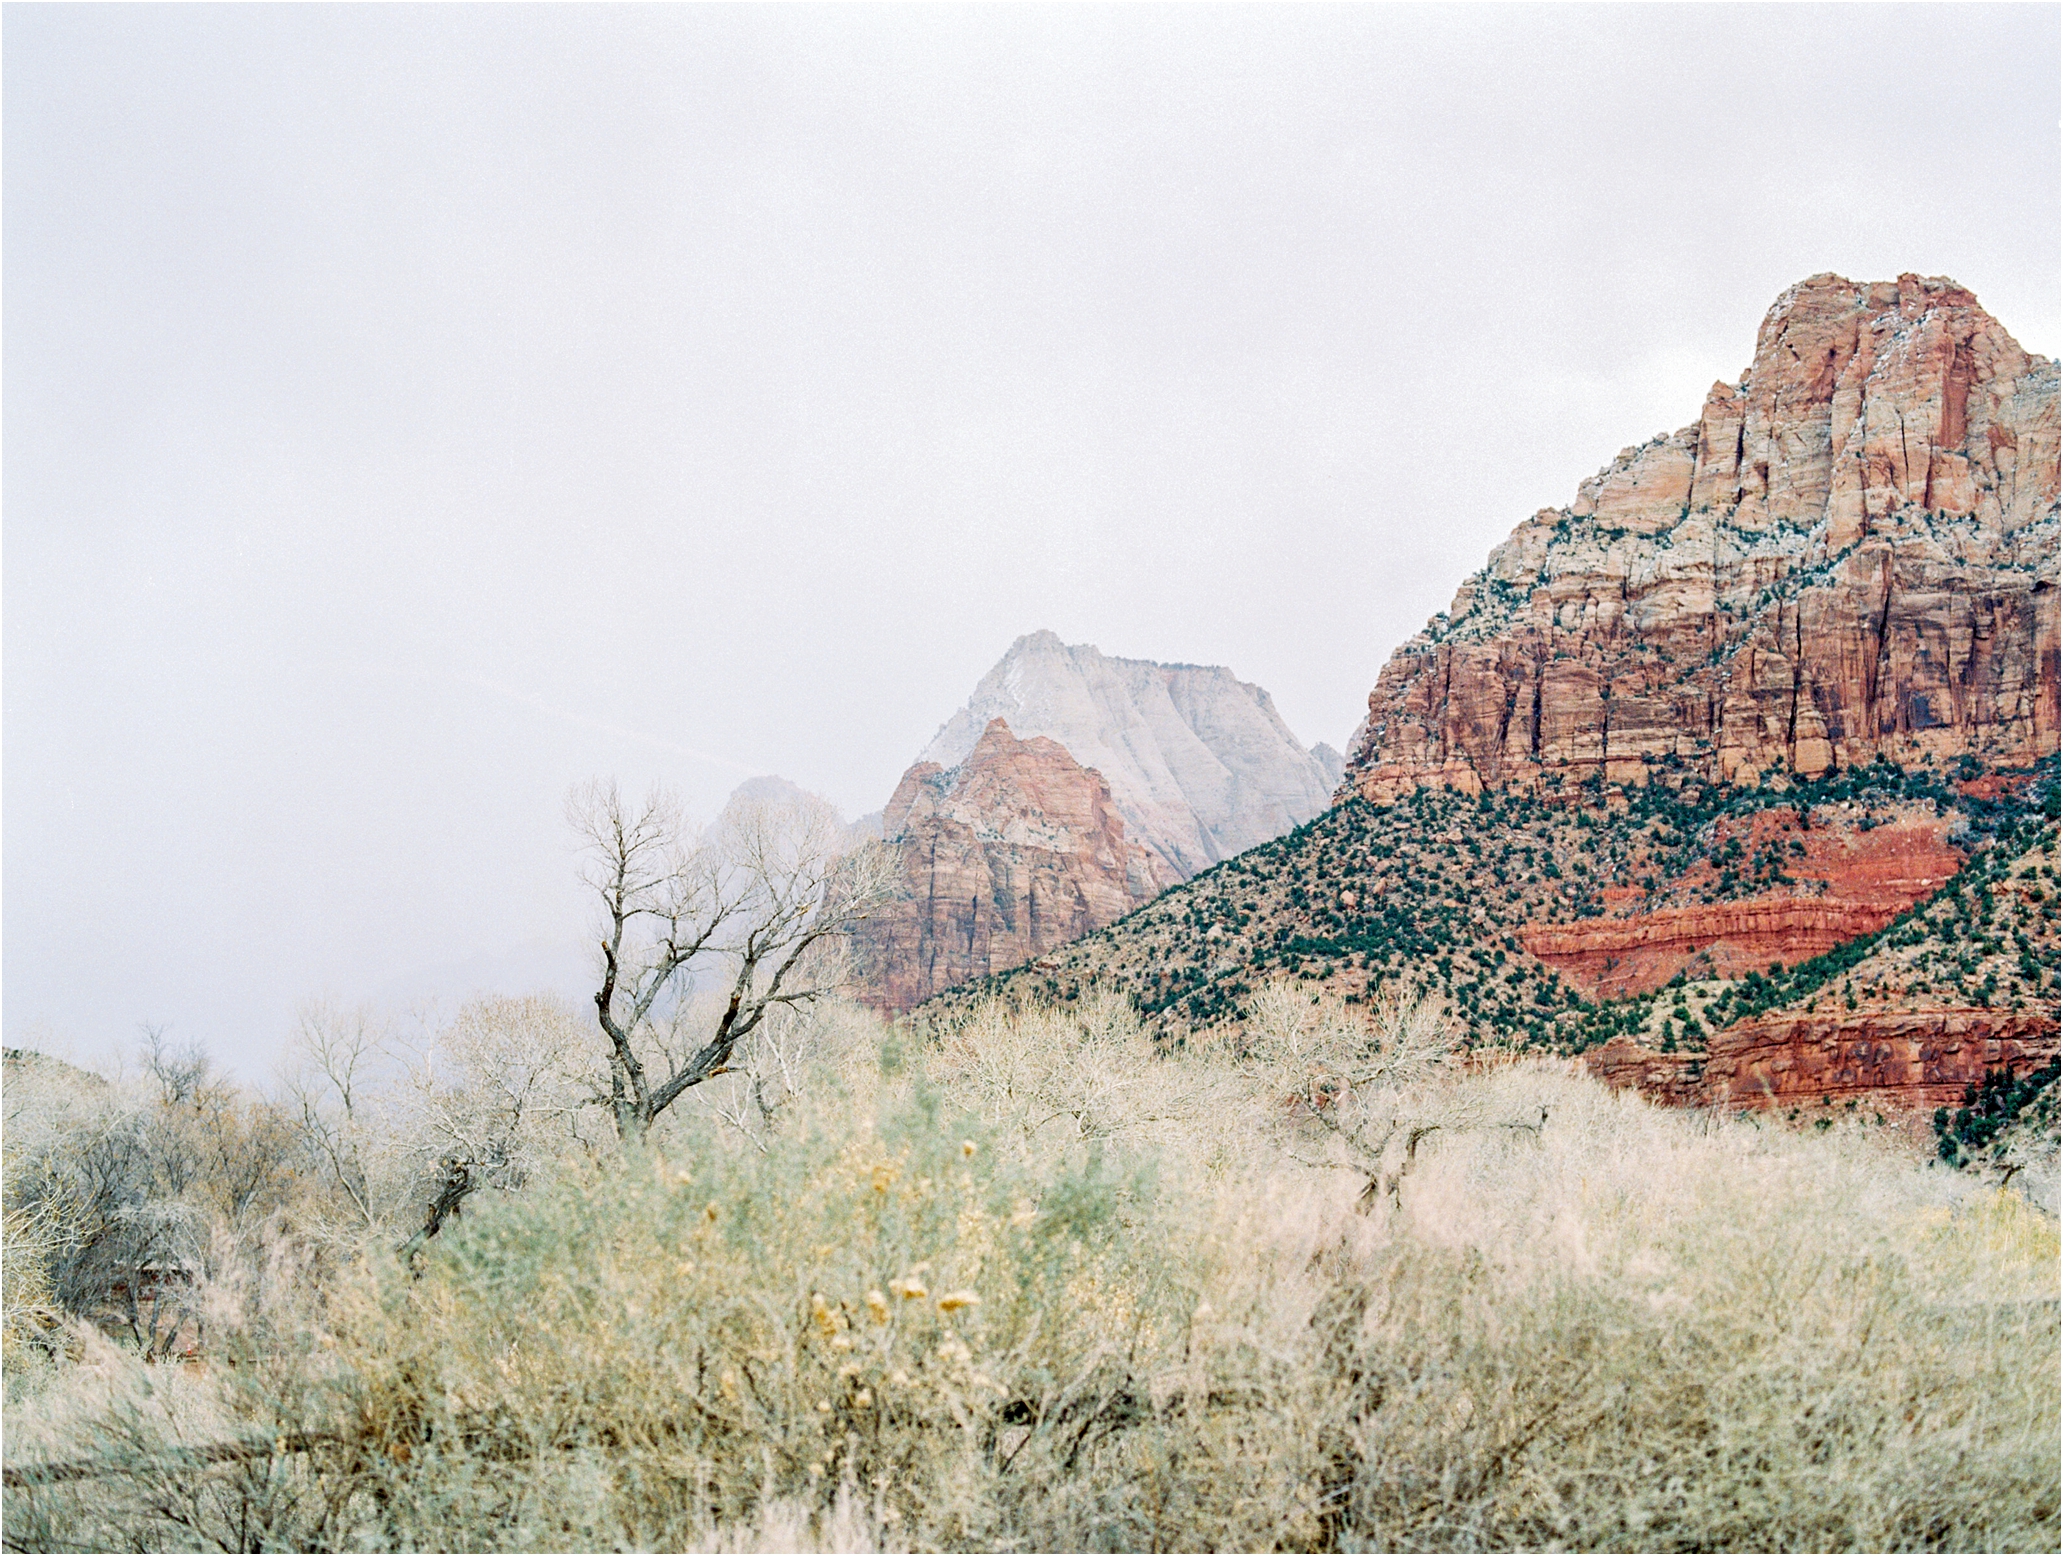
412	412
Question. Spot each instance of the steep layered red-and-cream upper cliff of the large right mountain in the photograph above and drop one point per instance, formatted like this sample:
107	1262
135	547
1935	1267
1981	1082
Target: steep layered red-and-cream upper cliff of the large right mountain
1854	552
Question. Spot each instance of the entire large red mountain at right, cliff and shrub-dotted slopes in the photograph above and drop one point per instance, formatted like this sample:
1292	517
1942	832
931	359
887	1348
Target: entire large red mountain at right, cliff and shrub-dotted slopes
1738	773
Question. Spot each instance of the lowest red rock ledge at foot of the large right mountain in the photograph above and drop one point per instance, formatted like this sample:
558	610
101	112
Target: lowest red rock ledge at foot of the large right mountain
1893	1060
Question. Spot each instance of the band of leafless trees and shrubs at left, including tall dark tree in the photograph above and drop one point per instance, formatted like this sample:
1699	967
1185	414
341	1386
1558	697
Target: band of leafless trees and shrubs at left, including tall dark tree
717	952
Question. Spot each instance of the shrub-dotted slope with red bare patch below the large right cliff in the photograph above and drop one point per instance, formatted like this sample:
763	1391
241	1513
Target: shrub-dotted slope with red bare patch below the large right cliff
1447	893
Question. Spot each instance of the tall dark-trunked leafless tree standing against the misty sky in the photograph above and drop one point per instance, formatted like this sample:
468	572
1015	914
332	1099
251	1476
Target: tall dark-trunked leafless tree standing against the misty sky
752	907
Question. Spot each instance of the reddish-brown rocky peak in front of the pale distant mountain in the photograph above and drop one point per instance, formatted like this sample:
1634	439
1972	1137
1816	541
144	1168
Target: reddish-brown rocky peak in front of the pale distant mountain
1006	855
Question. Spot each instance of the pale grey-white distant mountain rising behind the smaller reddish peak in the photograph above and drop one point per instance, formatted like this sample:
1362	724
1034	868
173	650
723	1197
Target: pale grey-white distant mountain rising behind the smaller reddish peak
1200	763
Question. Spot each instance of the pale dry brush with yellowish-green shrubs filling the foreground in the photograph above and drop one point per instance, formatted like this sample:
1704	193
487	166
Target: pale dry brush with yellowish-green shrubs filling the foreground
1030	1285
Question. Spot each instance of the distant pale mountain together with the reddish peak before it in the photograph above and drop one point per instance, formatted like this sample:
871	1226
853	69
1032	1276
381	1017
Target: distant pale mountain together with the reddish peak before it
1070	789
